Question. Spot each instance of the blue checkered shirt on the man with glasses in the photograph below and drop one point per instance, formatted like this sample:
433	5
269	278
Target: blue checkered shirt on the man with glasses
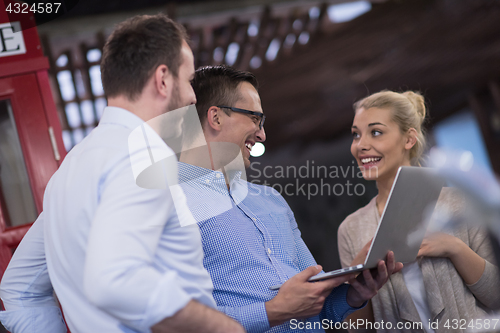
251	242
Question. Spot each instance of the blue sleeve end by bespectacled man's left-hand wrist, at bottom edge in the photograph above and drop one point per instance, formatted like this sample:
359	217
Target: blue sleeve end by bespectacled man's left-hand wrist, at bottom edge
252	317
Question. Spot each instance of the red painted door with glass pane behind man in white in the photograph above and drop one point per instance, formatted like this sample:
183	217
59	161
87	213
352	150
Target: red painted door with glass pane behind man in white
28	158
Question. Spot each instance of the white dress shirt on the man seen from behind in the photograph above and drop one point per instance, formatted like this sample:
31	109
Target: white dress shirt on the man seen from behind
116	254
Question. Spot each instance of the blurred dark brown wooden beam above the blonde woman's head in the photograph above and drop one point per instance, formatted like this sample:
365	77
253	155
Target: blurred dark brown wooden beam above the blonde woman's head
398	45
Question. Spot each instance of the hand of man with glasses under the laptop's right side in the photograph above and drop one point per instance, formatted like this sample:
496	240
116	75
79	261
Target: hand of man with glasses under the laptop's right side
367	284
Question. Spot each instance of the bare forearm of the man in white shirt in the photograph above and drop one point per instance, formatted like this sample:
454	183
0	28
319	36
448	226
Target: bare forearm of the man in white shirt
196	317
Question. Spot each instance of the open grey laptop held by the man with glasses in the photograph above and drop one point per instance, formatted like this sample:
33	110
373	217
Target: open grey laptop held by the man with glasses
403	223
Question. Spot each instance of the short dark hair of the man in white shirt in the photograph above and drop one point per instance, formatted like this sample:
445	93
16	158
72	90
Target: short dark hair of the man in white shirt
135	49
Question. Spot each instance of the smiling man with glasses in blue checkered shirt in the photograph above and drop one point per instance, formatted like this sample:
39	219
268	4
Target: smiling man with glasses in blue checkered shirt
249	235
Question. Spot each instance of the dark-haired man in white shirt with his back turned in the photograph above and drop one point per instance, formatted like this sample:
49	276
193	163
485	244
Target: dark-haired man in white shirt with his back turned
116	255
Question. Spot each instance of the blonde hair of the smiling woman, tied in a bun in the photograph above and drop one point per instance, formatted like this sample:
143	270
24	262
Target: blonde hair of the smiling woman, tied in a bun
408	111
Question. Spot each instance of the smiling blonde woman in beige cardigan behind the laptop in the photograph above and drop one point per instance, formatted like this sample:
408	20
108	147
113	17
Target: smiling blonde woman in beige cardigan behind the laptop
454	280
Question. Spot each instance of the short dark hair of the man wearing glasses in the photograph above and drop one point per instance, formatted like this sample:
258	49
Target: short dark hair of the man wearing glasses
217	85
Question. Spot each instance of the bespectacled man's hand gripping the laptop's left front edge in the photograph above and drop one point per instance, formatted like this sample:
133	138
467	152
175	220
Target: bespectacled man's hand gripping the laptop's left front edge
298	298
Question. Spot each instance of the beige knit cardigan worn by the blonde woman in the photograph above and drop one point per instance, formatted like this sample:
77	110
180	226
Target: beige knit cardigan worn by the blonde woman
447	295
